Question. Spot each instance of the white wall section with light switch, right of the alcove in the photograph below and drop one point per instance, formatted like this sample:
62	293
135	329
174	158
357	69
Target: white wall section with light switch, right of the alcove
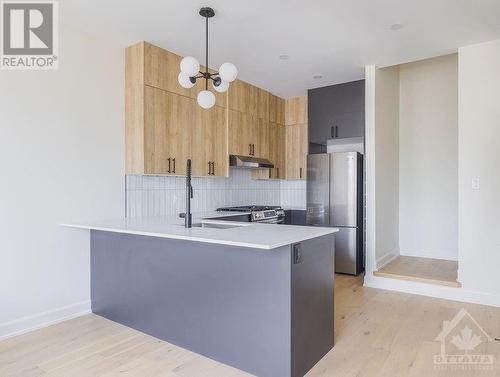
479	158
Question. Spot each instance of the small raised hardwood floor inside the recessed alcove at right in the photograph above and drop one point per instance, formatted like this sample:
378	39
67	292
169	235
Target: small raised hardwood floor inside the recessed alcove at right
426	270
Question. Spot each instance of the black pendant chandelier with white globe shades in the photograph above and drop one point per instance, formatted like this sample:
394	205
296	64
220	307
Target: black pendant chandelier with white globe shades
190	71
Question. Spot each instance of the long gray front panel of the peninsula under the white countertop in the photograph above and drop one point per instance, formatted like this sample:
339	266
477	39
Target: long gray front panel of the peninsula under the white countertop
228	303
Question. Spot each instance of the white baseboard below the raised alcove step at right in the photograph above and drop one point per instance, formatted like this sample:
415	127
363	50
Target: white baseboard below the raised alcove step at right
431	290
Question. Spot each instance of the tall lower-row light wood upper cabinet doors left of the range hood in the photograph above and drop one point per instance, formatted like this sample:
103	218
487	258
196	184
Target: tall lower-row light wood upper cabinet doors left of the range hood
176	128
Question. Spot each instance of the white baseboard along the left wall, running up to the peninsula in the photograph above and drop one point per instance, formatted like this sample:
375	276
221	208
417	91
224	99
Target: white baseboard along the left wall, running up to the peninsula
37	321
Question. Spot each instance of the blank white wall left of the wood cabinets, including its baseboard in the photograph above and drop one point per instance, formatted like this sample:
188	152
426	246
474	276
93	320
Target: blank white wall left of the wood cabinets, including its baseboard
62	158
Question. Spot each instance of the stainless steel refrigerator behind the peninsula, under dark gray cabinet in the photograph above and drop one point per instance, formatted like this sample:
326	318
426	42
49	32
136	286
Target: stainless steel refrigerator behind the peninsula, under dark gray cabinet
335	199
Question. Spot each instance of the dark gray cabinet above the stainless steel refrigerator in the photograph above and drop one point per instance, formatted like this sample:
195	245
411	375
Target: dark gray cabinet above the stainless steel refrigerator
336	111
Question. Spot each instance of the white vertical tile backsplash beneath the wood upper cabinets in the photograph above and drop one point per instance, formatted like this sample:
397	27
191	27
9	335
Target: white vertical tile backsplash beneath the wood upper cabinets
164	196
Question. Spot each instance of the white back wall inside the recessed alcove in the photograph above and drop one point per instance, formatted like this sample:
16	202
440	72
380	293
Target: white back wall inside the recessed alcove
428	158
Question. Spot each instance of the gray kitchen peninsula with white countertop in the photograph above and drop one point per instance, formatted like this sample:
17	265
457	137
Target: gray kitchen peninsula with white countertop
258	297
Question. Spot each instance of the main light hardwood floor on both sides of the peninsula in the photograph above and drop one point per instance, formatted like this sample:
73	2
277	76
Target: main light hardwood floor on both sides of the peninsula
377	333
